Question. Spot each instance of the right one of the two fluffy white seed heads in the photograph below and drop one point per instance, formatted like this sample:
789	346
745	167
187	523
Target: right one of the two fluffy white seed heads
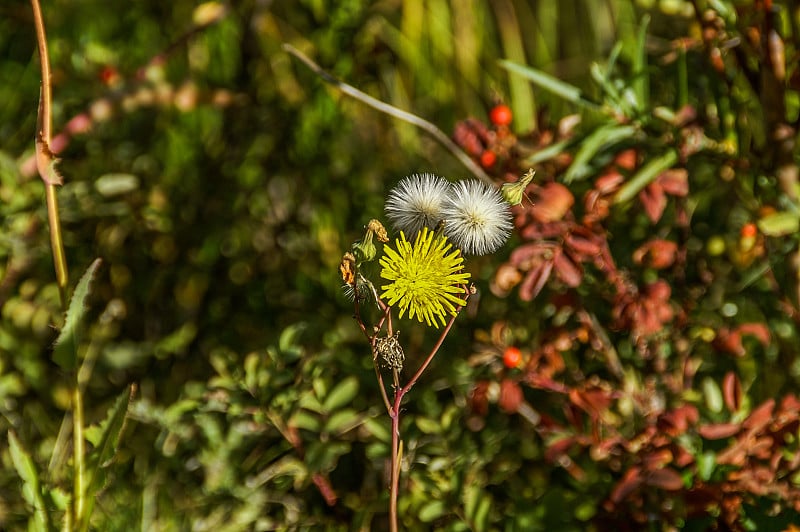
477	218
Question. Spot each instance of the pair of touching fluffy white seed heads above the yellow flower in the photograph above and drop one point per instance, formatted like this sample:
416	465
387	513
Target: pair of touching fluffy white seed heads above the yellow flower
474	216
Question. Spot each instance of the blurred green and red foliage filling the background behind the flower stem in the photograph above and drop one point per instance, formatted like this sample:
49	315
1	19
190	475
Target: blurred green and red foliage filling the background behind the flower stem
227	385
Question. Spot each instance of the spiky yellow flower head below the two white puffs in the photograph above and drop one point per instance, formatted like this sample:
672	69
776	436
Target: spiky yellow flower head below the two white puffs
424	279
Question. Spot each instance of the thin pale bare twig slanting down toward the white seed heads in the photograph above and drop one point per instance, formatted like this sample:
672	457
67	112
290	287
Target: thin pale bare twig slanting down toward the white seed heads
390	110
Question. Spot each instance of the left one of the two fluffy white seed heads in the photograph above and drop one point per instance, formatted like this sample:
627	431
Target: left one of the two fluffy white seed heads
416	202
